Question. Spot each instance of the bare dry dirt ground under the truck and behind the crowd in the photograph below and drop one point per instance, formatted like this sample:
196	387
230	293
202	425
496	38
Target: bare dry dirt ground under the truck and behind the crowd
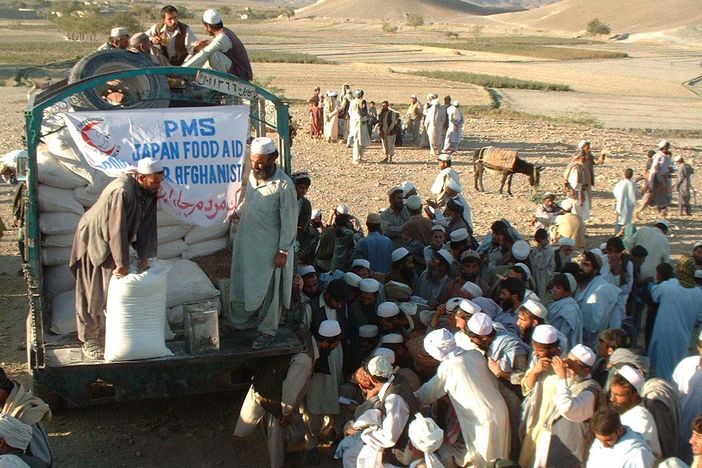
197	431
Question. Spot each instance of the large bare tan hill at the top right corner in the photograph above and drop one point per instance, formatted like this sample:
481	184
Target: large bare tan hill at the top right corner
623	16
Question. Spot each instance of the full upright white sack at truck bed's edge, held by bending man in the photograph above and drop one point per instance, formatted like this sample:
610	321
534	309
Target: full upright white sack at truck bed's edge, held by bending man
136	314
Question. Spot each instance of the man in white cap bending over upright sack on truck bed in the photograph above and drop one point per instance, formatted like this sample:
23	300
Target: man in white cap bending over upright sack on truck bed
123	216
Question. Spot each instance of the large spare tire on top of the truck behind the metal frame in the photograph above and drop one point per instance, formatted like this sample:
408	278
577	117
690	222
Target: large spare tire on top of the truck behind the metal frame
146	92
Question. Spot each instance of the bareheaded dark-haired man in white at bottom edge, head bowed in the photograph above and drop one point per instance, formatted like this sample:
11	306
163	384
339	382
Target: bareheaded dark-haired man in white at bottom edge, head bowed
616	445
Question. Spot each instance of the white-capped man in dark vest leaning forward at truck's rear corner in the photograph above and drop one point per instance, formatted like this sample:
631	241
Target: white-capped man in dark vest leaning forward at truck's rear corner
278	390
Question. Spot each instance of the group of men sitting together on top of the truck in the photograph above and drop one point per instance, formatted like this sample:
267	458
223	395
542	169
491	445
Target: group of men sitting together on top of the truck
170	42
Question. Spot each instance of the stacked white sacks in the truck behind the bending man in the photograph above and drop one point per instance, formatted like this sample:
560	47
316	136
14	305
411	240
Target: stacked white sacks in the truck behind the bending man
67	188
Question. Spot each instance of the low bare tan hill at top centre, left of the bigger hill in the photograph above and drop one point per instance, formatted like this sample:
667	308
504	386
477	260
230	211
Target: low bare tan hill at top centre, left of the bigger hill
396	10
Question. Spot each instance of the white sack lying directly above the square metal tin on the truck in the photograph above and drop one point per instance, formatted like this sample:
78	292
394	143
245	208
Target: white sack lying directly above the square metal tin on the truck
188	283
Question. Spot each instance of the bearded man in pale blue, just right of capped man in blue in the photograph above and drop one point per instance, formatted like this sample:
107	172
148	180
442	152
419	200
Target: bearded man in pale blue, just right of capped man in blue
596	297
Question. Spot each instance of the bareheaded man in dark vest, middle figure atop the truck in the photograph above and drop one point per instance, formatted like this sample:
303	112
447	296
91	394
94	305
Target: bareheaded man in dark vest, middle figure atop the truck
175	39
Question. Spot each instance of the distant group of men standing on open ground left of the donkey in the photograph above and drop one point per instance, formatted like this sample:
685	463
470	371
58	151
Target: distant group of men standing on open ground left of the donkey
347	117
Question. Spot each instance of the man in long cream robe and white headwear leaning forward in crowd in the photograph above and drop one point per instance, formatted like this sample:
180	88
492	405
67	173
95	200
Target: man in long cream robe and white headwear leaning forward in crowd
473	392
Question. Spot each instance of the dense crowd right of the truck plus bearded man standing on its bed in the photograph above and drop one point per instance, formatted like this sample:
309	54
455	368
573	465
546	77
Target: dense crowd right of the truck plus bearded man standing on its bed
515	348
